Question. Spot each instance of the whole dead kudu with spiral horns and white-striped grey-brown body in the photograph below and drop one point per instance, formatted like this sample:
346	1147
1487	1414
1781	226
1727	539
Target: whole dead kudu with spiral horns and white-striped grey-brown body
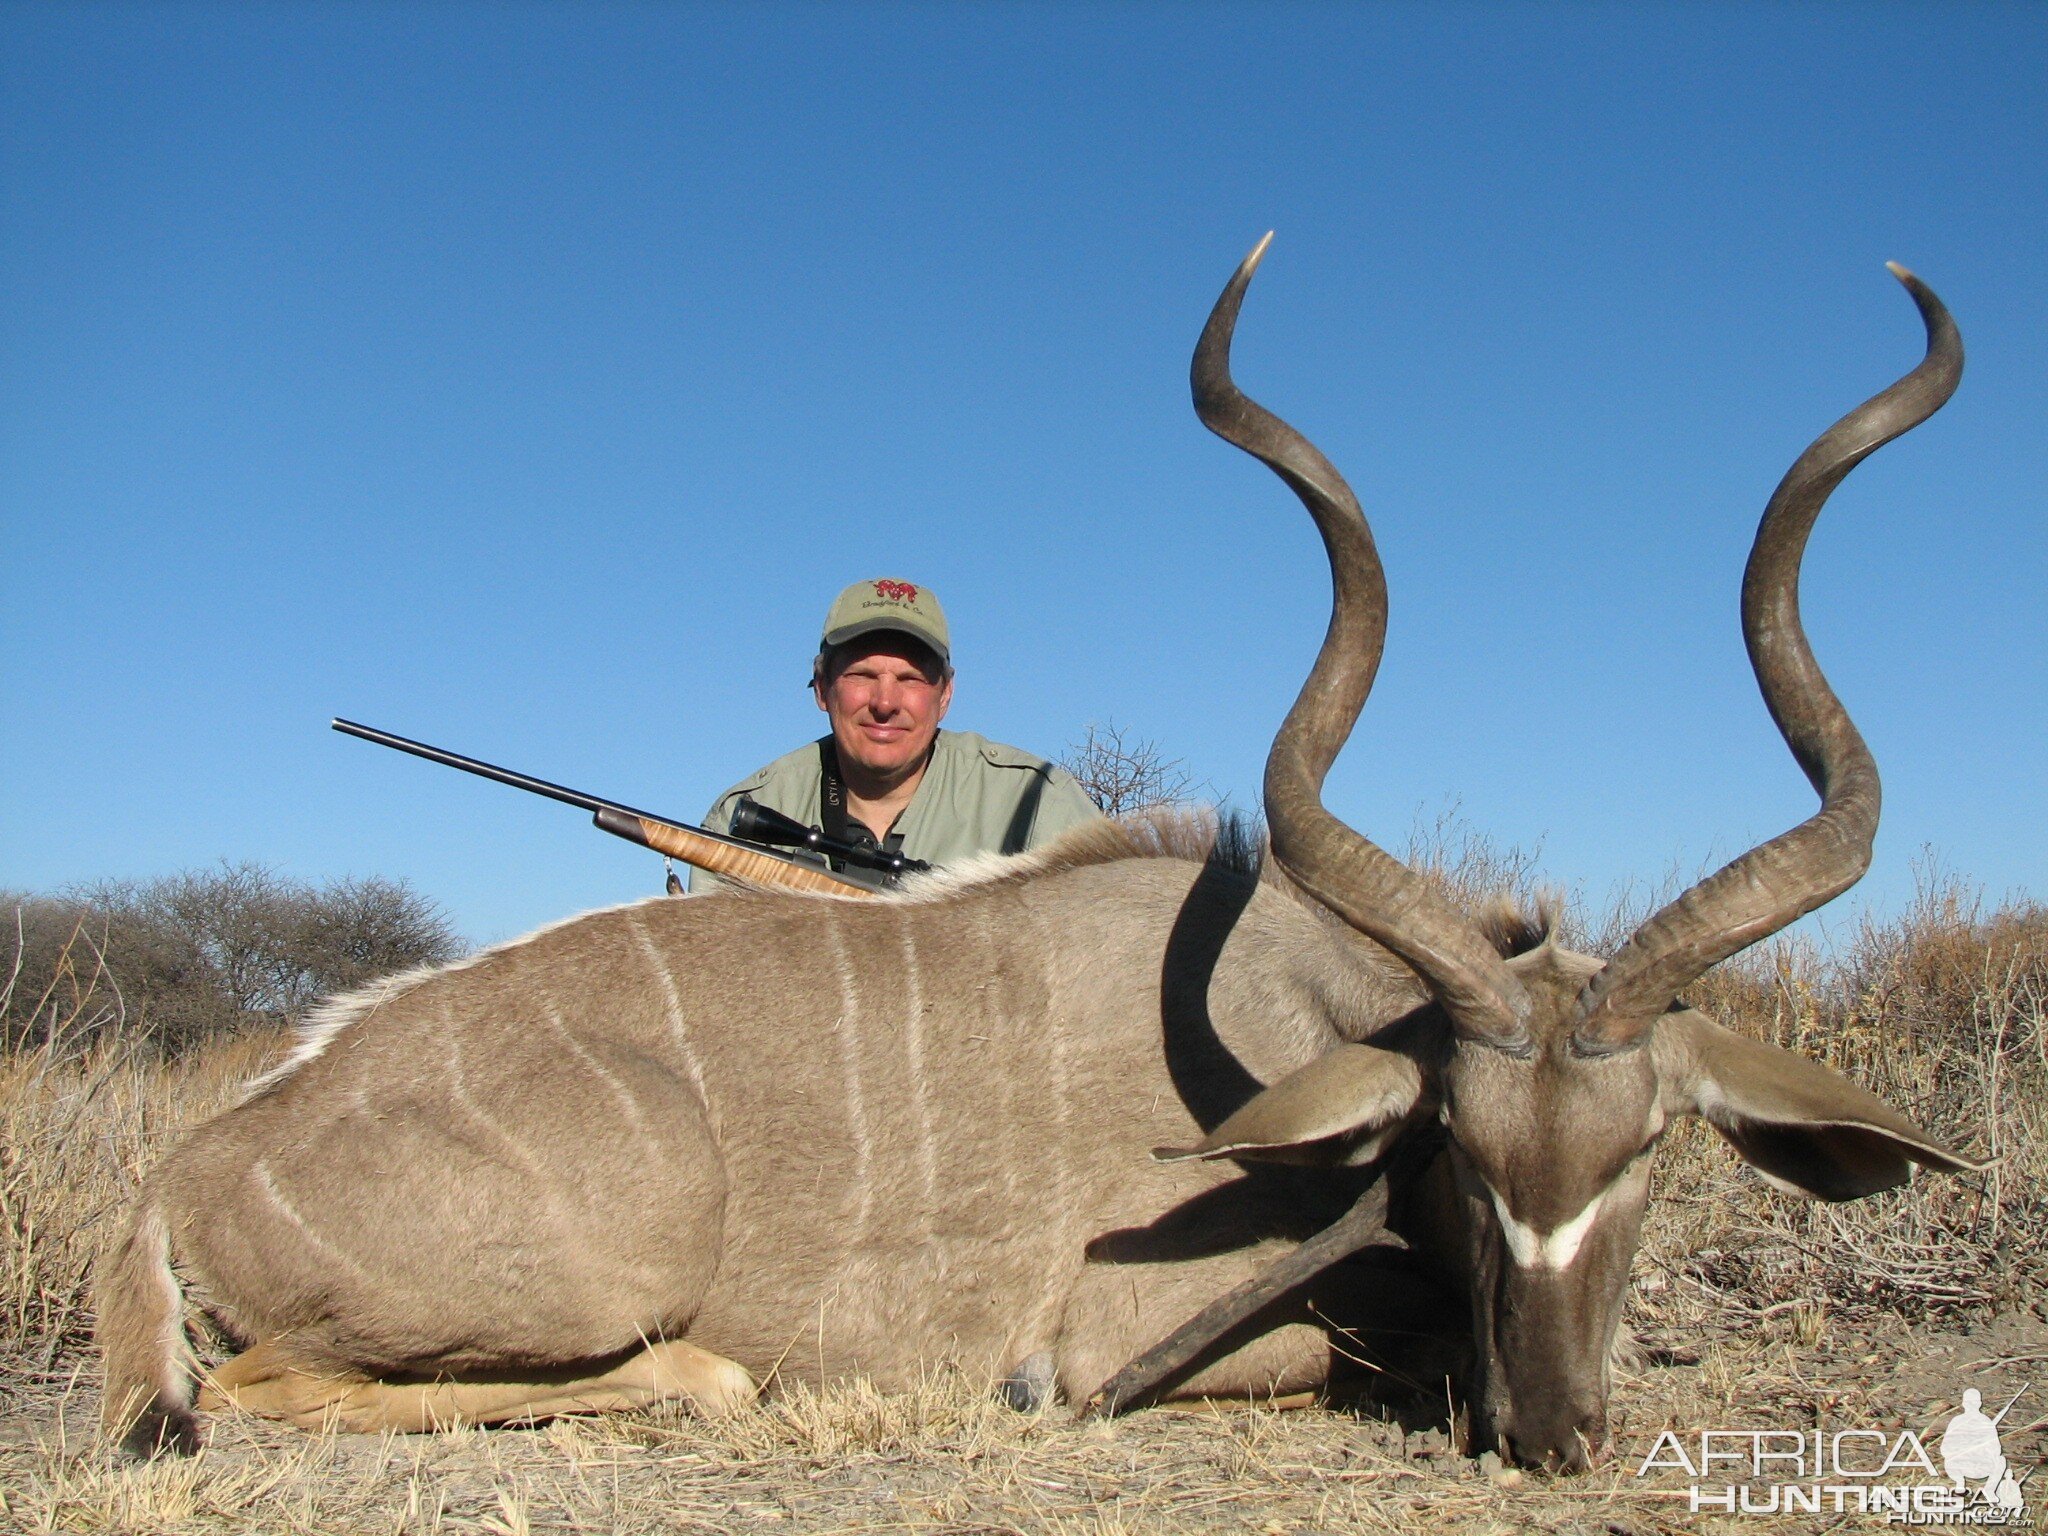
669	1148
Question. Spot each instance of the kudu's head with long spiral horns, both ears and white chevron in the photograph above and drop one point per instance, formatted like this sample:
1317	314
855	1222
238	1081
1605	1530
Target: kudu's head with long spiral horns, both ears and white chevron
1555	1076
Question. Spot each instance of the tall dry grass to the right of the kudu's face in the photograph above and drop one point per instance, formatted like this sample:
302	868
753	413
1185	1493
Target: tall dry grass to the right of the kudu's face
1940	1013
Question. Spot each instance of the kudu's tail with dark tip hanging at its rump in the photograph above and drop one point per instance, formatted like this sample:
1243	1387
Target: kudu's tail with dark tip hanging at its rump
140	1330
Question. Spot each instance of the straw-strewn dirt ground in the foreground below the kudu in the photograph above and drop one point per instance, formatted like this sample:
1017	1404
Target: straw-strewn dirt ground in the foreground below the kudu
947	1461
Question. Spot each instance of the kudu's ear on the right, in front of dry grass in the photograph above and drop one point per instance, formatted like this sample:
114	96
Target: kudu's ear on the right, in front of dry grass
1805	1127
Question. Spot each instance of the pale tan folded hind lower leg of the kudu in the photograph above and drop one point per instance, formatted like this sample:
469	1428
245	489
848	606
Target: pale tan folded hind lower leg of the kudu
273	1383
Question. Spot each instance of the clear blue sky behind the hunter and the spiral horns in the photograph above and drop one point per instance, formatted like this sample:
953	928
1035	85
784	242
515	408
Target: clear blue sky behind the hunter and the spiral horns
529	378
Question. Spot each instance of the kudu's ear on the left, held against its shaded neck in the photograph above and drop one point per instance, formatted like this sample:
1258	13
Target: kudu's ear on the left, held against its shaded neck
1342	1109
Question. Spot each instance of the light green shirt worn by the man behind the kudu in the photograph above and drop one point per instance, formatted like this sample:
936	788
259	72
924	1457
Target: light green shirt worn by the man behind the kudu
976	798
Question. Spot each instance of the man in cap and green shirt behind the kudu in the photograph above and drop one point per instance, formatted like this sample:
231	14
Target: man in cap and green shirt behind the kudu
888	777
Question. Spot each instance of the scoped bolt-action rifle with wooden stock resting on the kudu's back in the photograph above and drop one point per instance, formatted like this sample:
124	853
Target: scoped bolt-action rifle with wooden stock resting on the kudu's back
736	857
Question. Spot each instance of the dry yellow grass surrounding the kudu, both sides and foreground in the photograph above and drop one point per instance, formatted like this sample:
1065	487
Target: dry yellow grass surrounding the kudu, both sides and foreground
1752	1310
